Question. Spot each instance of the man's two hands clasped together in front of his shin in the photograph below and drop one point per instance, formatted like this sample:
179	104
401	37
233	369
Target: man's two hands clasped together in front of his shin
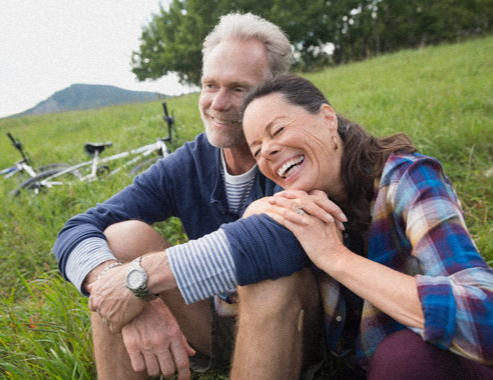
150	332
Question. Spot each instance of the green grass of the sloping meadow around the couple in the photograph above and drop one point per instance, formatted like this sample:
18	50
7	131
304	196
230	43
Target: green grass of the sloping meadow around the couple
441	96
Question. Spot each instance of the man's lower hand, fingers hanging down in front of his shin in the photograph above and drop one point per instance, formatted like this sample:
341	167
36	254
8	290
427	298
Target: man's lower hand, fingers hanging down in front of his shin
156	344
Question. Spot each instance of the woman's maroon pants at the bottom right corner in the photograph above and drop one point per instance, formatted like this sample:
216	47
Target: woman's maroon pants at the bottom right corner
405	356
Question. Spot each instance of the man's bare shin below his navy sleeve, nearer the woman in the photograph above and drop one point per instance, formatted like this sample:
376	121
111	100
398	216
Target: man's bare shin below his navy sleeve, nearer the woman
280	323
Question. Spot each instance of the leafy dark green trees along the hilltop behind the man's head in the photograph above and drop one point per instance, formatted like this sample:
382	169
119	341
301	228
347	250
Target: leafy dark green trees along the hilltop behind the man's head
357	29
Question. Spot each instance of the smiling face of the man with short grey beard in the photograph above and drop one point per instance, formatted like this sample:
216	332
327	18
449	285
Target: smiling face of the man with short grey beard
229	72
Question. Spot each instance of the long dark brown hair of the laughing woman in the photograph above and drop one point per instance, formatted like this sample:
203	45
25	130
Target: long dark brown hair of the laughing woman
364	155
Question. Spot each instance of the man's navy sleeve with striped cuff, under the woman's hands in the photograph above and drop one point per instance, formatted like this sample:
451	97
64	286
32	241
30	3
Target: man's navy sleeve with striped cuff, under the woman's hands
240	253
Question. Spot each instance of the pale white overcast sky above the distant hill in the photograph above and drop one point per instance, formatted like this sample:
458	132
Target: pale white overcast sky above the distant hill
48	45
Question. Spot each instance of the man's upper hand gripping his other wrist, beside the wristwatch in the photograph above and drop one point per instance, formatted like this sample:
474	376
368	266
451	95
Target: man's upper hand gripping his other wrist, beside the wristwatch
116	304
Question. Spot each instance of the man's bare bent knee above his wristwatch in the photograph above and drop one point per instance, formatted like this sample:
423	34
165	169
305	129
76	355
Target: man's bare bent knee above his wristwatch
133	238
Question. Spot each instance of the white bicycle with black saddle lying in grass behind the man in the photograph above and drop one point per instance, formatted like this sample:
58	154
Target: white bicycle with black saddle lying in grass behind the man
98	166
